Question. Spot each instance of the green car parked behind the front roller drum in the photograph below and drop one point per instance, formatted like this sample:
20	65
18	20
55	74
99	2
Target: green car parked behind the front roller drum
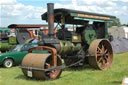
15	56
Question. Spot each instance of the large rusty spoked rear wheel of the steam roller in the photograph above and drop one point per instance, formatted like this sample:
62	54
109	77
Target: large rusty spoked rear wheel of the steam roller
101	54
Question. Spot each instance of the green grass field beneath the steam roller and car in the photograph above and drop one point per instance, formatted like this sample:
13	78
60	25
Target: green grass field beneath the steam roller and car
84	76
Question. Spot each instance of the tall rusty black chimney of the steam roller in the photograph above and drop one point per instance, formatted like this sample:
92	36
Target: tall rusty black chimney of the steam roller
50	16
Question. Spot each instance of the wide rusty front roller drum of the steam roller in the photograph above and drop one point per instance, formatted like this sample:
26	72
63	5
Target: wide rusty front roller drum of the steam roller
40	61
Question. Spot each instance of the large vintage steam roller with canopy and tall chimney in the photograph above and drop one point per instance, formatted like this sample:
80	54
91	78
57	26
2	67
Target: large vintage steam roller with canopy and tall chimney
86	44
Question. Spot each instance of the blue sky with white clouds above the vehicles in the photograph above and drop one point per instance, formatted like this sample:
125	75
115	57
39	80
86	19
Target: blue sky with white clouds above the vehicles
30	11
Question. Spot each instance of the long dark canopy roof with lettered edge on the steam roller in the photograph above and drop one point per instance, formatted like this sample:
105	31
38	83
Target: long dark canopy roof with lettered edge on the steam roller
78	17
